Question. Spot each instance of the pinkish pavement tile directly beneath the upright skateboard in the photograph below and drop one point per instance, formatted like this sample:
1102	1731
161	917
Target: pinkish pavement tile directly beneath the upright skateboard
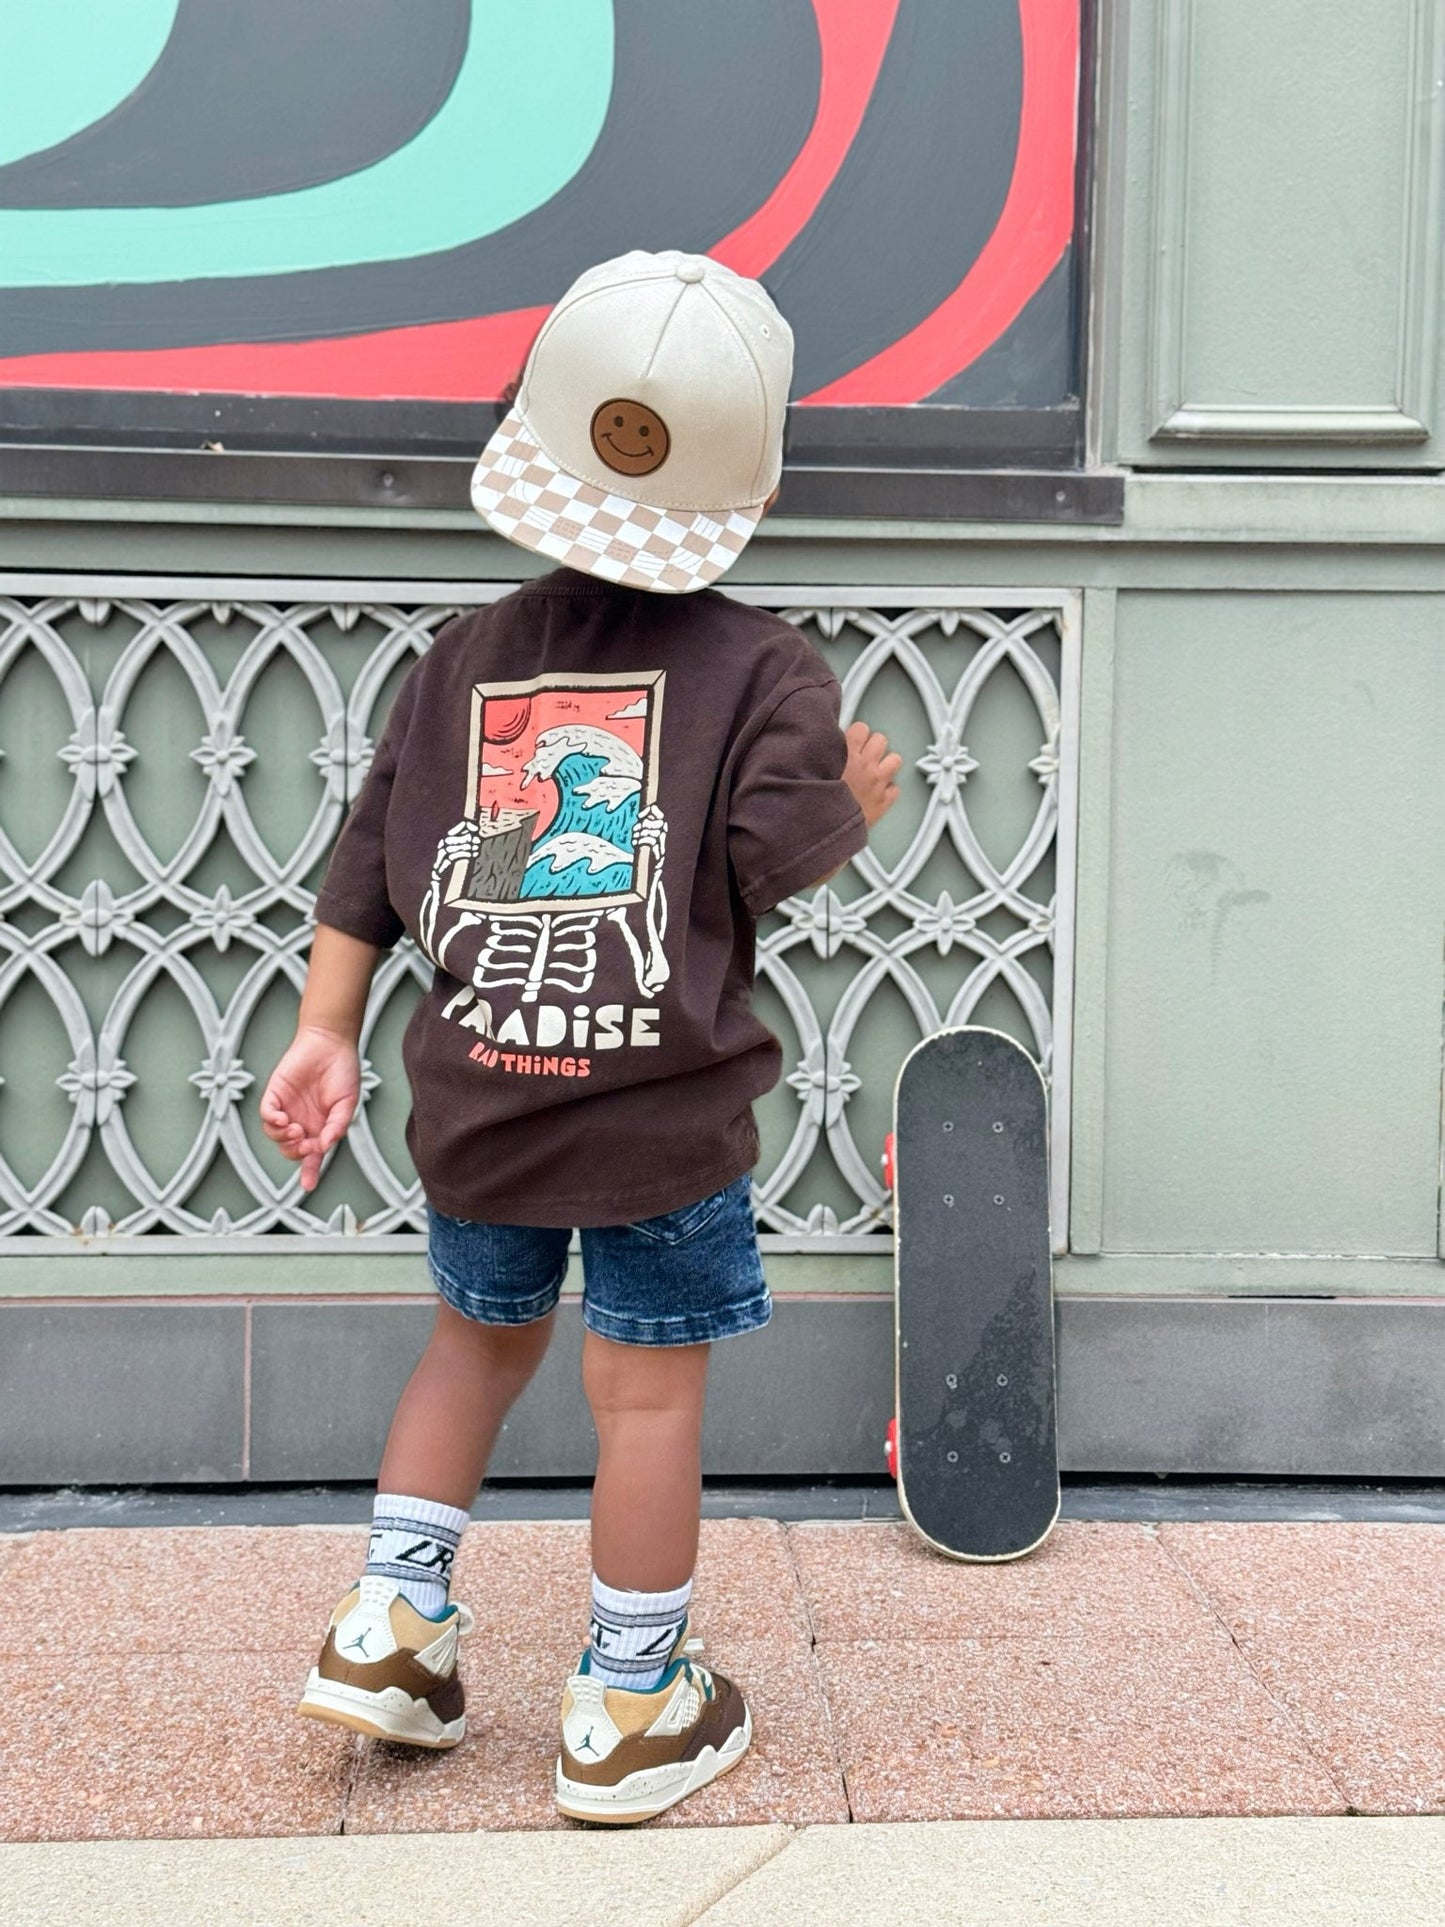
862	1581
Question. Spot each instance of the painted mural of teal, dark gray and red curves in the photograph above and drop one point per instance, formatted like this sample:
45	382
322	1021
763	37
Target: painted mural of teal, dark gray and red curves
381	199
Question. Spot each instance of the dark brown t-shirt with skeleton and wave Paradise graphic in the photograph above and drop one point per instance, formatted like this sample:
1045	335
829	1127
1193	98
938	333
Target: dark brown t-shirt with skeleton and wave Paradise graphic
583	801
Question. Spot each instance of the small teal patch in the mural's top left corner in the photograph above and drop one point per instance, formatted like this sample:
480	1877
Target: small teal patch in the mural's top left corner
66	65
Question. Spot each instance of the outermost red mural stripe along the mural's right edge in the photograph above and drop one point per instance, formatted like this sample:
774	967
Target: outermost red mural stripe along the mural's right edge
1026	246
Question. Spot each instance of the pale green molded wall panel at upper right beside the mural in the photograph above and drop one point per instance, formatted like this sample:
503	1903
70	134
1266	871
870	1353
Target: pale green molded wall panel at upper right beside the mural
1282	234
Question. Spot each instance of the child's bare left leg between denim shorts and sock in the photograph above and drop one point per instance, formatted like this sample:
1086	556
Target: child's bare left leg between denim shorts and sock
454	1406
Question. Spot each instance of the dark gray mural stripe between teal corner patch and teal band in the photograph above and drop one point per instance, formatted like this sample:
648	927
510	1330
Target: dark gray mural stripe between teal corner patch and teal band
257	99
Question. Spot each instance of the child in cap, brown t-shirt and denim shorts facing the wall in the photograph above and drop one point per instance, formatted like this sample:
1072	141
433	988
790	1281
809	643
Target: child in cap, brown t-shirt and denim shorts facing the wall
583	801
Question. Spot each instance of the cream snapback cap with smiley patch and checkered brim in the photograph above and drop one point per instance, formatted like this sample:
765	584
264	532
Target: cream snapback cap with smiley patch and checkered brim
648	429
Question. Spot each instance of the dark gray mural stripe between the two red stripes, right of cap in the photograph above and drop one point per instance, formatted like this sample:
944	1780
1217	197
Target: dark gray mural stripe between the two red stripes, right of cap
918	194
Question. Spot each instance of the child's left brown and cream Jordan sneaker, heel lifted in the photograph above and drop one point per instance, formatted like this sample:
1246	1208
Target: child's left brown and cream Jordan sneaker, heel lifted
388	1670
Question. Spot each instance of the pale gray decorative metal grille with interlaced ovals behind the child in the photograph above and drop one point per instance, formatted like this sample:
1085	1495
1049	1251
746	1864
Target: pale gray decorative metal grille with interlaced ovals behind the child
176	760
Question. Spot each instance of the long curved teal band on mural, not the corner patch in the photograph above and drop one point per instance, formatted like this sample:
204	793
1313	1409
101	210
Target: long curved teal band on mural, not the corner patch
521	120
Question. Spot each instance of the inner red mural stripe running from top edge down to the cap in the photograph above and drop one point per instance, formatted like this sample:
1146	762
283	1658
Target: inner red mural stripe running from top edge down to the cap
853	41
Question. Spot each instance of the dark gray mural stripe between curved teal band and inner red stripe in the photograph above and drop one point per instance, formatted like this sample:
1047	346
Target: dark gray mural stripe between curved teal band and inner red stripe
696	136
